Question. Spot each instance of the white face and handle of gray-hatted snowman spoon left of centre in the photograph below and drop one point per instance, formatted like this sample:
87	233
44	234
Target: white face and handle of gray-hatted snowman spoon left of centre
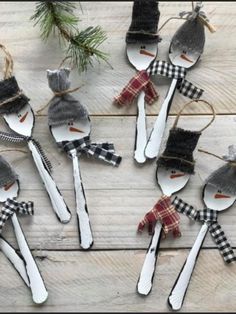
71	132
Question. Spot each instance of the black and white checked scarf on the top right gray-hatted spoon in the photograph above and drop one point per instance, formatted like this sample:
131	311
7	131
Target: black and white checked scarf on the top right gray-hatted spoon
173	71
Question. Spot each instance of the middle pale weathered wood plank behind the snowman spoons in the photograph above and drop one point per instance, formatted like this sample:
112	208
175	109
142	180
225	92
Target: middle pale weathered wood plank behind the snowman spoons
117	197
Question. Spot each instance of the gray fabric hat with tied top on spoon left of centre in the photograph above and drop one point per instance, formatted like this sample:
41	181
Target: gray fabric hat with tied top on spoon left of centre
65	108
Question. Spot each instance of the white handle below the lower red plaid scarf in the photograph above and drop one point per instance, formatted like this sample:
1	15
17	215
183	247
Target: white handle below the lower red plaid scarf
145	280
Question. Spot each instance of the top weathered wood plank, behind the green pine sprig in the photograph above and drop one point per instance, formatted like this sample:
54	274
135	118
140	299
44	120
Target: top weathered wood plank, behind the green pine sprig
33	57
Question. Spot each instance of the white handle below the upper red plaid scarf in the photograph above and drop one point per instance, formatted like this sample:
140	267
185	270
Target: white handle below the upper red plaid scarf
141	133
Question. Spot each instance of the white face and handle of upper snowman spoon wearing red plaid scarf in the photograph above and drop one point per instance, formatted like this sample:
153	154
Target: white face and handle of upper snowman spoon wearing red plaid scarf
140	56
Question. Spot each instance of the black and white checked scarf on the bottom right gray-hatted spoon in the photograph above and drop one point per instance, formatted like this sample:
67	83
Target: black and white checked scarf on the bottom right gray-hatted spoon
210	217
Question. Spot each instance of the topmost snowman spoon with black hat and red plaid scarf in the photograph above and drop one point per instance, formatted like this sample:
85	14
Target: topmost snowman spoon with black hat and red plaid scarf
142	46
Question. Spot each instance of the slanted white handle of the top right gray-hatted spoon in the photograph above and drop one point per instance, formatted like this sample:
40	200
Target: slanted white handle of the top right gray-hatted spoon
155	138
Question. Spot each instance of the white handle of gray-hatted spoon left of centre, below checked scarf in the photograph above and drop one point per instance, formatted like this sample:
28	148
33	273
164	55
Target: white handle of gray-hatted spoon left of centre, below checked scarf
85	233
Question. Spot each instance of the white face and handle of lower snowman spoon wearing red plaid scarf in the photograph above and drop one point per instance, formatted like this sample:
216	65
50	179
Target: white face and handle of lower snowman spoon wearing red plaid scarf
170	181
